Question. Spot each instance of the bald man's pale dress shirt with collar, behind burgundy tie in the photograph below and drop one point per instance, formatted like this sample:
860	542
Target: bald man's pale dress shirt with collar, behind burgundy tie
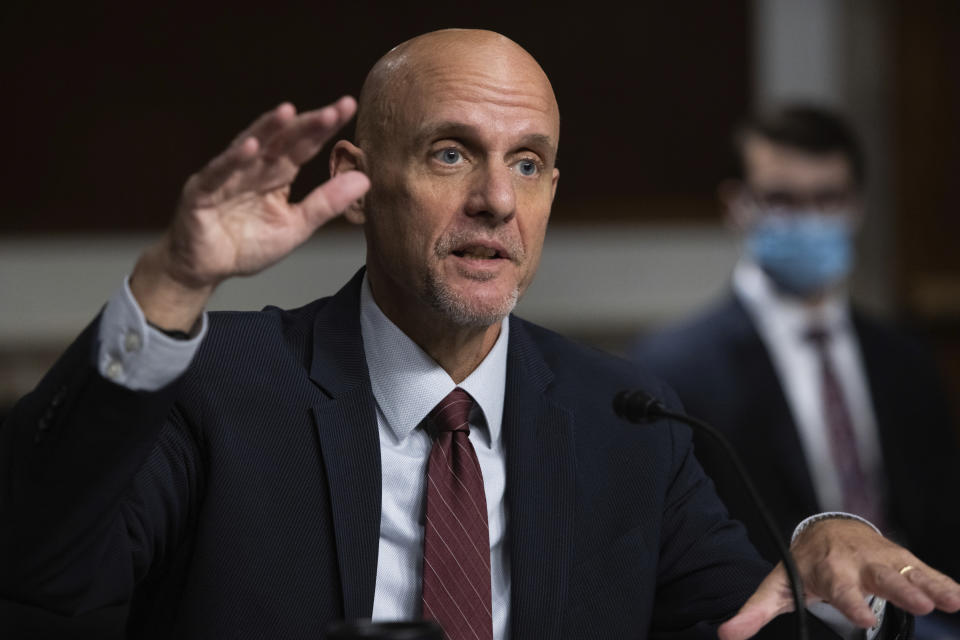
408	384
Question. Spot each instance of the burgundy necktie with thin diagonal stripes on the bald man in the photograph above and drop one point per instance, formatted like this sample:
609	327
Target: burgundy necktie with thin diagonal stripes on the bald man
456	539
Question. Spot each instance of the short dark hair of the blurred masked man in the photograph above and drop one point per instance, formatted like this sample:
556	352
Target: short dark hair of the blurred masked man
806	127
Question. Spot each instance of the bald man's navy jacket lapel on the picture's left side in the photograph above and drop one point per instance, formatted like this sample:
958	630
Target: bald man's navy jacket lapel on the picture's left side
350	444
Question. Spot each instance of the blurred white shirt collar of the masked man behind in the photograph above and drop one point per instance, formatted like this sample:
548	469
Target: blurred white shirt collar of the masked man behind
784	314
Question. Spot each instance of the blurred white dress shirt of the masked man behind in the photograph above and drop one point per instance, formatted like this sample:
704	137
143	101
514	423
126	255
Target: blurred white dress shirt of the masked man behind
782	323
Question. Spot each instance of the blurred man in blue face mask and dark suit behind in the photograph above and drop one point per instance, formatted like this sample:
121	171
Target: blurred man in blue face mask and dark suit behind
829	409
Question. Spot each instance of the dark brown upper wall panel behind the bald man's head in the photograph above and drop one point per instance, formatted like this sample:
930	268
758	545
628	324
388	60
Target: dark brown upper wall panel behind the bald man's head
111	106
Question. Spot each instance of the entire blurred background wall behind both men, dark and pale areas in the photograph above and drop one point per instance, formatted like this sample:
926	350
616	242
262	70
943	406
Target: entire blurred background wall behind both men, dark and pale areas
109	106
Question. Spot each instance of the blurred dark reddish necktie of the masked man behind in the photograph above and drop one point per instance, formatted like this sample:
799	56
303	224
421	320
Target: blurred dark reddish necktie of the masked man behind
858	496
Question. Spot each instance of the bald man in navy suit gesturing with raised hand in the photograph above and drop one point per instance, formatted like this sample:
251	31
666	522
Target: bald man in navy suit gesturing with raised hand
403	449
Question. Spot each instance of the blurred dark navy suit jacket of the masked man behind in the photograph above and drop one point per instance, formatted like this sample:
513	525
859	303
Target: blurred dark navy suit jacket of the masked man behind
723	374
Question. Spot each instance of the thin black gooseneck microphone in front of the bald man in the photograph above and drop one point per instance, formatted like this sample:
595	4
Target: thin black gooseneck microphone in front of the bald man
640	407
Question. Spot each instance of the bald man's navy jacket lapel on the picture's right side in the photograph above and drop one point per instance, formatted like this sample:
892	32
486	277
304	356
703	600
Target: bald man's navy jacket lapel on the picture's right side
540	491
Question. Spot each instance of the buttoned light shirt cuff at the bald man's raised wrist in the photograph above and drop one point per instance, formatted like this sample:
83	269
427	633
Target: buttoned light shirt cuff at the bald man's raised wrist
133	354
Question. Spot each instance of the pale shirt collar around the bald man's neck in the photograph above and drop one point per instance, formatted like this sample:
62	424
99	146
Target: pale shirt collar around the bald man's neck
407	383
